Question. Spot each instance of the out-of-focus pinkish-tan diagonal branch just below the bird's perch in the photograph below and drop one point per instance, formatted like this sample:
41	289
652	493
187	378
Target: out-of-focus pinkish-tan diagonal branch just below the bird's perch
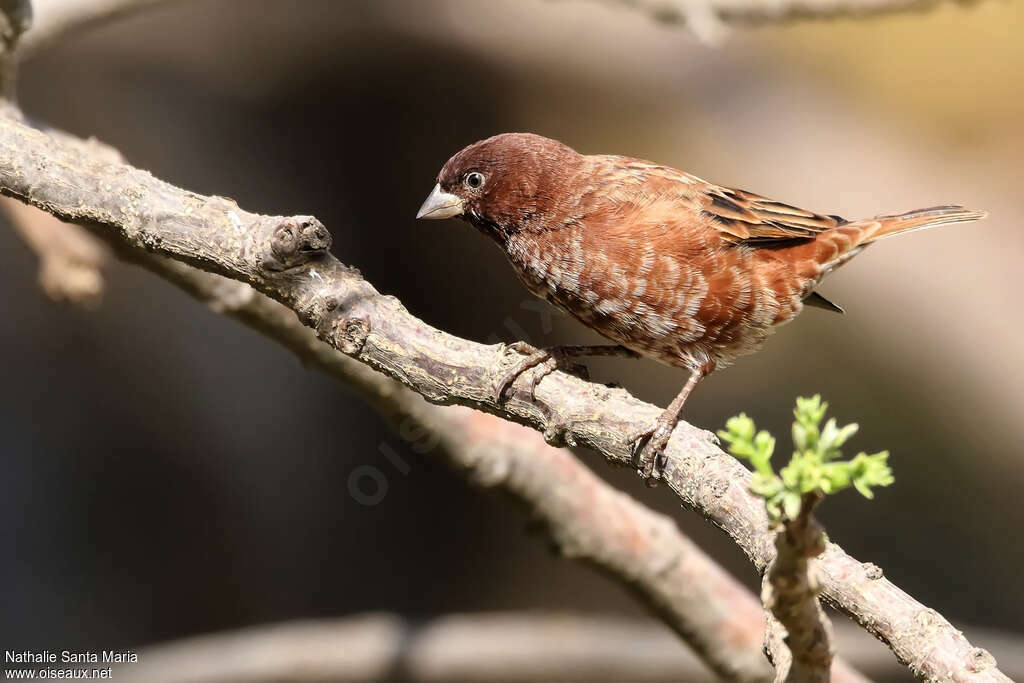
588	520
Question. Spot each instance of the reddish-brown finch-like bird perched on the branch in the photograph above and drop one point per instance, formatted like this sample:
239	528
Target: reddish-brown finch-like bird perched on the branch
661	263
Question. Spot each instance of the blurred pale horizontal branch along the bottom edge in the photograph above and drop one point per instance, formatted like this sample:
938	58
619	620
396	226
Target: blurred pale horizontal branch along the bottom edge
509	648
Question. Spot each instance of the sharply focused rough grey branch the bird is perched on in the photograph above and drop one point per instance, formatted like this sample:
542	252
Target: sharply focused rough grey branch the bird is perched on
287	259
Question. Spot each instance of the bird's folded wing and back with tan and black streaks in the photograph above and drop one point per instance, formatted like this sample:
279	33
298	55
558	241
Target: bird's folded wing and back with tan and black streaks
740	217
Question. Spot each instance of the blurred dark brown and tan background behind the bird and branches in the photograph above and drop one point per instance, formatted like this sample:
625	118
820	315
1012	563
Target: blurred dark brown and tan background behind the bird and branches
160	476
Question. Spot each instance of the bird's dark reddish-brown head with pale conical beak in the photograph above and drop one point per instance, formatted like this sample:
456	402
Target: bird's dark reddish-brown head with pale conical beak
507	183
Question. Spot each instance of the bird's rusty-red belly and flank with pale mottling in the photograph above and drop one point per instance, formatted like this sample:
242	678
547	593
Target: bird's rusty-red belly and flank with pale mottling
678	309
